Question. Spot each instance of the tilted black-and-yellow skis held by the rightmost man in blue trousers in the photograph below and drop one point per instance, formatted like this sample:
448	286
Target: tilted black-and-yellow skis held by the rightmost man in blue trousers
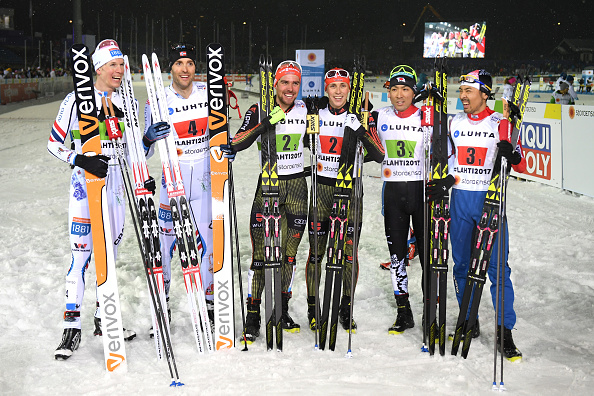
483	241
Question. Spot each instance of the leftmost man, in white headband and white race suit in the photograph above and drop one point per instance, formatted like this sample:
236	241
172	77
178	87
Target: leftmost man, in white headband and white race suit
108	63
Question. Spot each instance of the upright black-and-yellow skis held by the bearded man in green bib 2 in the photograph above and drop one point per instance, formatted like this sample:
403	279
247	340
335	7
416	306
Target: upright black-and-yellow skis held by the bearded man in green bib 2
271	218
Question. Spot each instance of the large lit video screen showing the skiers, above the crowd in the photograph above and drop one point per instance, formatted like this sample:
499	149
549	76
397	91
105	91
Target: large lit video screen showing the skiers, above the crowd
454	40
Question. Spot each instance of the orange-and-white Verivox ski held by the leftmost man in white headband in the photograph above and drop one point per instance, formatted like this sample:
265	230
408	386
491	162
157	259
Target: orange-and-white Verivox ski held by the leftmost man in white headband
107	287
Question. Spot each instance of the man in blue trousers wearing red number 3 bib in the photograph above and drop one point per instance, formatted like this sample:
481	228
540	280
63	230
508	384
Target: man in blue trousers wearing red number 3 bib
477	148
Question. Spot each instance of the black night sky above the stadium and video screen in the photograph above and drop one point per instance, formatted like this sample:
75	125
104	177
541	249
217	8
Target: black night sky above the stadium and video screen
515	29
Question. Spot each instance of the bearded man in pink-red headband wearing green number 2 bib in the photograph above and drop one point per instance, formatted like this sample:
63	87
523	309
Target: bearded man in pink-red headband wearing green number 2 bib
288	120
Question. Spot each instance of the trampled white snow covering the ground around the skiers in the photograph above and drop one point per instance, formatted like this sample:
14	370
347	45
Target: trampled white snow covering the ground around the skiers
553	273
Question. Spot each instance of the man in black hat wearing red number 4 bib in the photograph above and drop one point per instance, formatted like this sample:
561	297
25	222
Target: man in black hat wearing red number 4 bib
187	102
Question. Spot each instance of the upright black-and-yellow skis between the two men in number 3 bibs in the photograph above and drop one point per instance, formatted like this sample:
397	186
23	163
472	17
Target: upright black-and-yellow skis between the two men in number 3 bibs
439	218
